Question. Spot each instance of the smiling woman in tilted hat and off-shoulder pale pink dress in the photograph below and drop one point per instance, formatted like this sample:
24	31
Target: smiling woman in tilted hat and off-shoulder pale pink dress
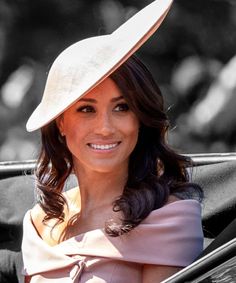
134	216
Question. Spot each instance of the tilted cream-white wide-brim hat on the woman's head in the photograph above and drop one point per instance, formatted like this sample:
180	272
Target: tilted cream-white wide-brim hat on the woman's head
83	65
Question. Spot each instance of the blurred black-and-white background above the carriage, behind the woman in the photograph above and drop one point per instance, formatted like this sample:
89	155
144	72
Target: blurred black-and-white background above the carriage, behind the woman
192	58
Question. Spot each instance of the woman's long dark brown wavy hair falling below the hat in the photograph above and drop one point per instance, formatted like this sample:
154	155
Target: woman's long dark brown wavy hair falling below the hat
155	170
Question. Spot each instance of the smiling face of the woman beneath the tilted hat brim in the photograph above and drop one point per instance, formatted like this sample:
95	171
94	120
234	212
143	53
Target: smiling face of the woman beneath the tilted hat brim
100	129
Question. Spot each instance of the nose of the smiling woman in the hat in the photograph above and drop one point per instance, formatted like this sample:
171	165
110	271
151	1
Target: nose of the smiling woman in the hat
104	124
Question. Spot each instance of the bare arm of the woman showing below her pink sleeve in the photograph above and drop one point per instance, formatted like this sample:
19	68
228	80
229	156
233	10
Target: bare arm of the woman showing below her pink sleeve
157	273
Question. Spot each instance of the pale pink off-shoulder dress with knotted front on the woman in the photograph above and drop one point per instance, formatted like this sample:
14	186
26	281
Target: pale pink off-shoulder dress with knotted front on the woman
171	235
